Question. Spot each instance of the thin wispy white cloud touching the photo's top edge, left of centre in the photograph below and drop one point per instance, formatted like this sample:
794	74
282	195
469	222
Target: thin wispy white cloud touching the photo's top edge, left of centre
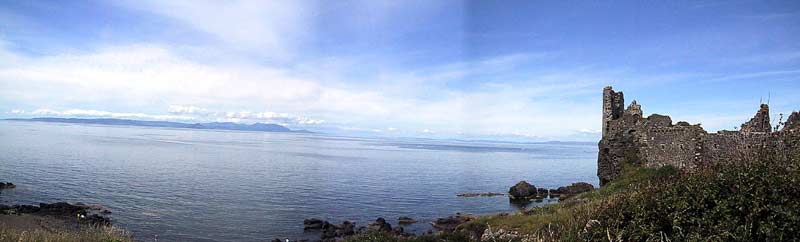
275	28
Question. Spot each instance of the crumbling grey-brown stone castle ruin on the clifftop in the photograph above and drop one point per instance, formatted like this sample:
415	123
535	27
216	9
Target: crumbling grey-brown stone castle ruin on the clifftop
654	141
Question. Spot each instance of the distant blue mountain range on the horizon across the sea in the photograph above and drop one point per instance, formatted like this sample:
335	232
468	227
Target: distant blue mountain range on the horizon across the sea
215	125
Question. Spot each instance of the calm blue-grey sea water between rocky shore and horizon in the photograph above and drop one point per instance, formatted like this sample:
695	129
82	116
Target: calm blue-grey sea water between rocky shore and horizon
201	185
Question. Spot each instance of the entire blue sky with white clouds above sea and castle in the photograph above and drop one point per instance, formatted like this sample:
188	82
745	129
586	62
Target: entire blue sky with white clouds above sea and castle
495	70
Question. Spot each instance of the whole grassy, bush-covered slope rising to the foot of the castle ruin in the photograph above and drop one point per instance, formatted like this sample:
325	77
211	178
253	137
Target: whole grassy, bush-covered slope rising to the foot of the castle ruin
756	201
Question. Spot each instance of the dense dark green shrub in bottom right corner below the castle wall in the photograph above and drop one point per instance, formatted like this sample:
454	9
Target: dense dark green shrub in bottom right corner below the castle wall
756	201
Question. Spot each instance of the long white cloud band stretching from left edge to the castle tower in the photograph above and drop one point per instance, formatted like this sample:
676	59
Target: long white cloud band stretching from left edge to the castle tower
136	76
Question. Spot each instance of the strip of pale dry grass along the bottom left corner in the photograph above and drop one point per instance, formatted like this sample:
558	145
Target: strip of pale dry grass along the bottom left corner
95	234
